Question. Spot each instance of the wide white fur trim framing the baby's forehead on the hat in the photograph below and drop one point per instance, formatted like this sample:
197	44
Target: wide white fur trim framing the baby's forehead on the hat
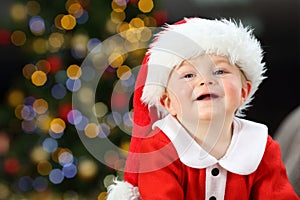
196	37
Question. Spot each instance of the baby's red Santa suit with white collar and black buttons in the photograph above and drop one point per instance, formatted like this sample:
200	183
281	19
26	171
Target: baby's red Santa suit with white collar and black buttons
180	169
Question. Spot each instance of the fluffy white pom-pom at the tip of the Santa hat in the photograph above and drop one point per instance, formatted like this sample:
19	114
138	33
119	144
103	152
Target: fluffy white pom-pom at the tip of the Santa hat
122	190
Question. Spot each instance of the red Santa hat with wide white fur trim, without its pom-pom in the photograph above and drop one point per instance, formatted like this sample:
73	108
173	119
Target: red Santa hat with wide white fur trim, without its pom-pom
184	40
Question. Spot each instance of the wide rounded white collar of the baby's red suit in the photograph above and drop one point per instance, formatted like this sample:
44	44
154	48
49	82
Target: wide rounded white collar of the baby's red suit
243	154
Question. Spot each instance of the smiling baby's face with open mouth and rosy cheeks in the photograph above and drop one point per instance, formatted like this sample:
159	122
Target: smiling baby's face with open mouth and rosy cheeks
205	88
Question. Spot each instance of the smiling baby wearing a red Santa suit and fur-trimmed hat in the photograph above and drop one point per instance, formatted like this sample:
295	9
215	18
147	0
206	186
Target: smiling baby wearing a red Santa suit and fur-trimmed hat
196	80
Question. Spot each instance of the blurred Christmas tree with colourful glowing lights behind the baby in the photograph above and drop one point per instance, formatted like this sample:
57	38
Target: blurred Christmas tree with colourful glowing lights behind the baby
41	154
